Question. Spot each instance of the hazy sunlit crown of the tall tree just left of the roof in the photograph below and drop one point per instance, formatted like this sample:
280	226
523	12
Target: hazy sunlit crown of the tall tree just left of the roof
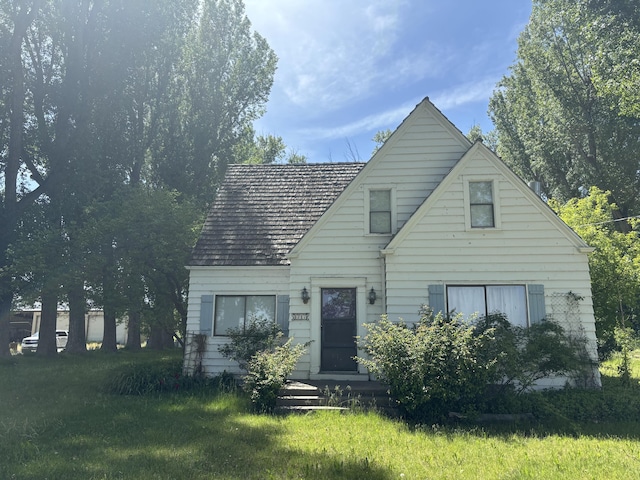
224	82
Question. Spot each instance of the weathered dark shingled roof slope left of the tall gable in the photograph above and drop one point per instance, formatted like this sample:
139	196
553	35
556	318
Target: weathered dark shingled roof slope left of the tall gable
262	211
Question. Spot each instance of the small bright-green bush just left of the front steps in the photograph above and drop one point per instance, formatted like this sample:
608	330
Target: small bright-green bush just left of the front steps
267	372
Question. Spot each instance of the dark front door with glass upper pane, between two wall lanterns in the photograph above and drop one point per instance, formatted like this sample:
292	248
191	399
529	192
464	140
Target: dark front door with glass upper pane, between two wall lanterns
338	330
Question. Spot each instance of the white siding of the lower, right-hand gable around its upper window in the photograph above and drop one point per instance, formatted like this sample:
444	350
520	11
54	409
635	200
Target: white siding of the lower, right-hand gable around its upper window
526	249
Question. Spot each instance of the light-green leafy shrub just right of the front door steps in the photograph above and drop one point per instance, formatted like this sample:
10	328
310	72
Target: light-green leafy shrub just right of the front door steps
437	365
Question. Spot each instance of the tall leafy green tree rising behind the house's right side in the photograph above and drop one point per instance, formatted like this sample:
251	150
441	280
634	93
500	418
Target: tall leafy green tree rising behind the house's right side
555	123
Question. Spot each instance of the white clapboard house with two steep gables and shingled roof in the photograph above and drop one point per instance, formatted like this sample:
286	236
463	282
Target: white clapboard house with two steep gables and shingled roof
431	219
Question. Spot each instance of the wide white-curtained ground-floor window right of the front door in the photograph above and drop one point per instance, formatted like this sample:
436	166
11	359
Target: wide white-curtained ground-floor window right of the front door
510	300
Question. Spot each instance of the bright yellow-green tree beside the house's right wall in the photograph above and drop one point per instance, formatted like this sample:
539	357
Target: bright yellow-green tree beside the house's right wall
614	265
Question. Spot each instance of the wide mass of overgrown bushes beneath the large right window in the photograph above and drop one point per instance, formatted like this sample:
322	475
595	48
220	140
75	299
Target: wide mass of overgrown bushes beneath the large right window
444	364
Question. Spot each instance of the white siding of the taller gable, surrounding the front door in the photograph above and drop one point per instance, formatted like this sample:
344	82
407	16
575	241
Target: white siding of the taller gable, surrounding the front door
341	253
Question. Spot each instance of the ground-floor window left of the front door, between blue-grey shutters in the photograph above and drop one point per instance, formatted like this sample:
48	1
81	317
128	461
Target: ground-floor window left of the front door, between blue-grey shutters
236	311
